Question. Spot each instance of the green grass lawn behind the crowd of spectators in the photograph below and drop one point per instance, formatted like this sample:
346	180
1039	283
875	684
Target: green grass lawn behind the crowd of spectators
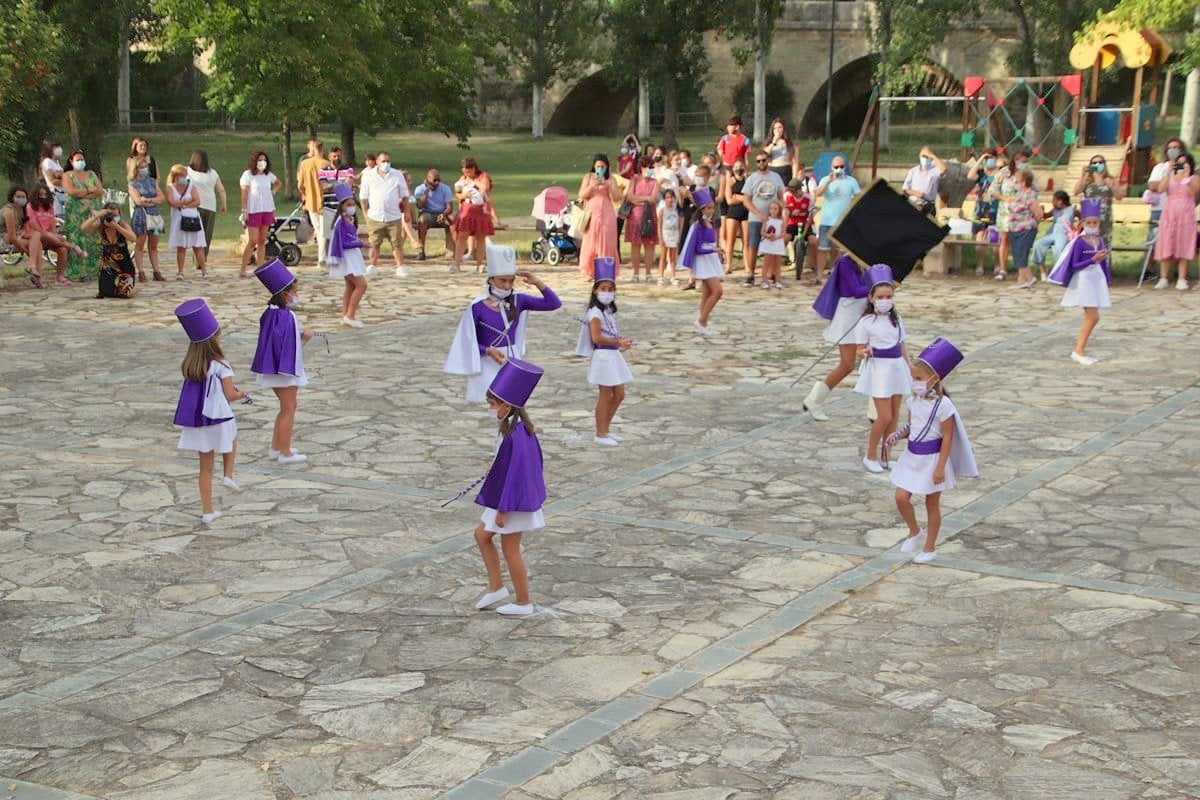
520	167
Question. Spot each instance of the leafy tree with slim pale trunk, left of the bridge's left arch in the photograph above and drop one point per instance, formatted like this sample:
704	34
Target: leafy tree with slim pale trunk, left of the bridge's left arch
545	40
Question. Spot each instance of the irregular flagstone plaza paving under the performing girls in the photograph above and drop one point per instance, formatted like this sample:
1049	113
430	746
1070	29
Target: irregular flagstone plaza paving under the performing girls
723	611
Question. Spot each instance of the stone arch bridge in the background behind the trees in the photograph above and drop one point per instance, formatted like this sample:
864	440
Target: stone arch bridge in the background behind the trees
801	52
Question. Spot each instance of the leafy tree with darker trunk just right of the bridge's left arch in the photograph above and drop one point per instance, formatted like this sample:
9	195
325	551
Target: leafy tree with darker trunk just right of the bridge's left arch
659	43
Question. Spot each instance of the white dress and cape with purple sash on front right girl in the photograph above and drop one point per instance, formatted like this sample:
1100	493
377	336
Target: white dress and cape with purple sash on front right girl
915	470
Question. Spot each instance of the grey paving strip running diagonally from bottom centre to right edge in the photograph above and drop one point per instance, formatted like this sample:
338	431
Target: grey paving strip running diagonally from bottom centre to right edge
494	783
